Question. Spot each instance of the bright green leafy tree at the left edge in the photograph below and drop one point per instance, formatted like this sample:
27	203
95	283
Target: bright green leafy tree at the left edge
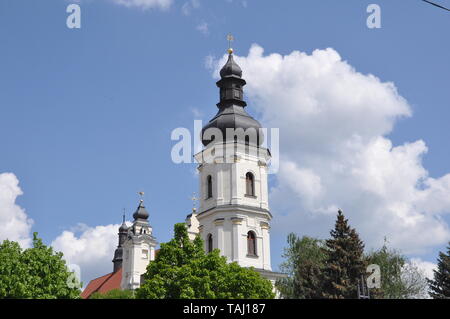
36	272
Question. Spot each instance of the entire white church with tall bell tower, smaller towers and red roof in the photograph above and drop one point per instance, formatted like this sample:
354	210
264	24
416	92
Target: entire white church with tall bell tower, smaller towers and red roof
233	214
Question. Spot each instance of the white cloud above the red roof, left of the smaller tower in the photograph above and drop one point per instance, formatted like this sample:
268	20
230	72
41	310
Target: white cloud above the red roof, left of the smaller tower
91	248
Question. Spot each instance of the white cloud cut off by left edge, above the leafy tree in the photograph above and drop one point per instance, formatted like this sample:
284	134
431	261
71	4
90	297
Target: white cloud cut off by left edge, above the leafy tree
15	225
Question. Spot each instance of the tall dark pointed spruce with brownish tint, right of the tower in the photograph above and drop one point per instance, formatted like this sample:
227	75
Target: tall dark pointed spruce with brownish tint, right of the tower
344	263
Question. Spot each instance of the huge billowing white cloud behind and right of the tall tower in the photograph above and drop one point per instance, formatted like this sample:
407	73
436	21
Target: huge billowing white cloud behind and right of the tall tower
335	152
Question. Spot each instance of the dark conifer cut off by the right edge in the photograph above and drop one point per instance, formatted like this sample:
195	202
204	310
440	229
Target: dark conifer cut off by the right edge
440	285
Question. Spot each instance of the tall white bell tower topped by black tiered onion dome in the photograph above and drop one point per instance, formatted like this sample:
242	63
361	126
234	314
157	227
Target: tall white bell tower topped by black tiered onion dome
234	211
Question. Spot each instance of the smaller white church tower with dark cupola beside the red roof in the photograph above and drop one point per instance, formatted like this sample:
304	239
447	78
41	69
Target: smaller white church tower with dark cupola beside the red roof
138	249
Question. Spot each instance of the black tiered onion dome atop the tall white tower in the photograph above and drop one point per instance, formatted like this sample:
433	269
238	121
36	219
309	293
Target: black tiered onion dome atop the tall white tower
231	112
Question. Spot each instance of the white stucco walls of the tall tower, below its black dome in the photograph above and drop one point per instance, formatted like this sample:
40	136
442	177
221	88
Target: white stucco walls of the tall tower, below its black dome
231	213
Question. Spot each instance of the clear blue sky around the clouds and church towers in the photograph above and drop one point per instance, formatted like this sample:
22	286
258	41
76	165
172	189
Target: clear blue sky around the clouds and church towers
86	114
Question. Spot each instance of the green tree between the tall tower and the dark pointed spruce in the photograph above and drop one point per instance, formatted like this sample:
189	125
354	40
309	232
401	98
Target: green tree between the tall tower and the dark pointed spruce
304	263
